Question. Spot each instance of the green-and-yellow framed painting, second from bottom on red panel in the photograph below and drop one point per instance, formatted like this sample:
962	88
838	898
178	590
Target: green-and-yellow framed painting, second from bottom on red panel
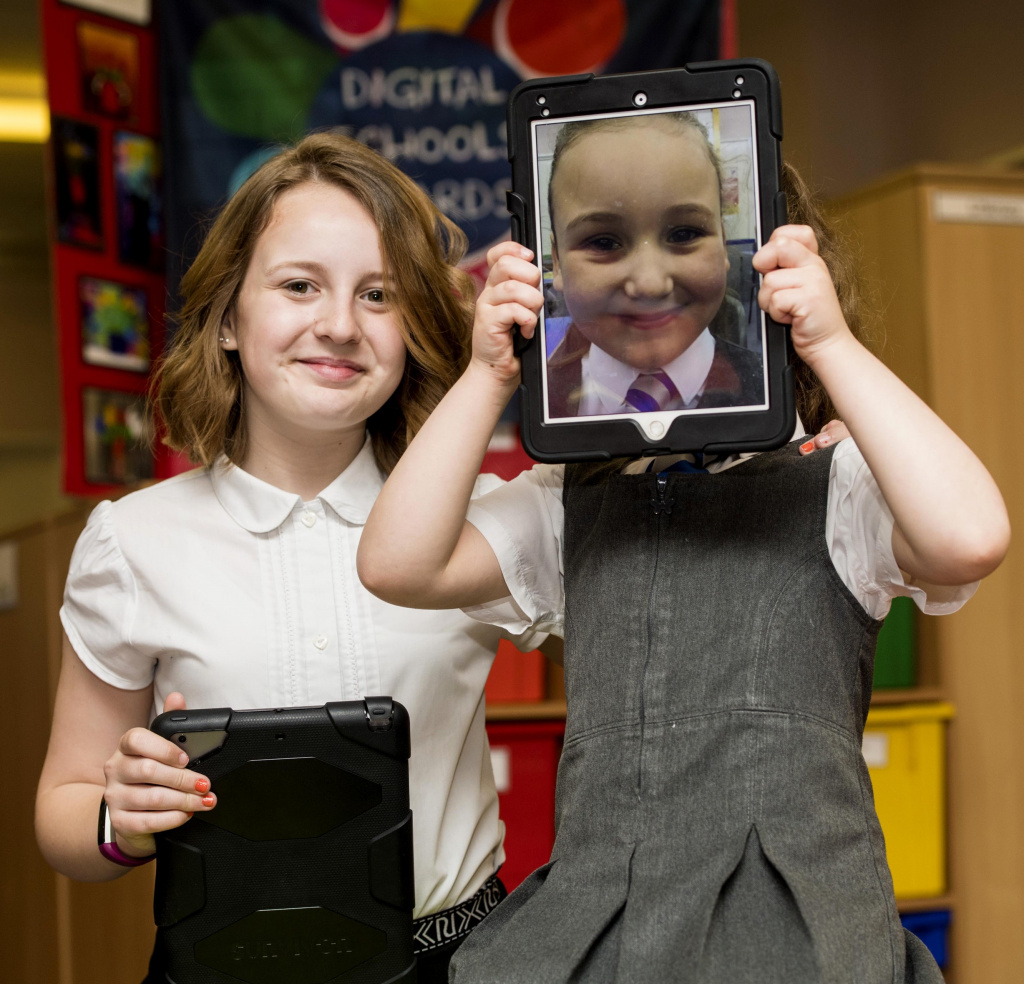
115	325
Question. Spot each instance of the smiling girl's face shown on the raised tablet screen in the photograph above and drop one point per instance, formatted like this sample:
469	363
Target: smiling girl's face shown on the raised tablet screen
639	248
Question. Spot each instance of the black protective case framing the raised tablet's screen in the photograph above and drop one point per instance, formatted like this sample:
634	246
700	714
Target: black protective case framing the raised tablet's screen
554	98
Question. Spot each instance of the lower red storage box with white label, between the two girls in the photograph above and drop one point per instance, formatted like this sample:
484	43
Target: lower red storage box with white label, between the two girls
526	755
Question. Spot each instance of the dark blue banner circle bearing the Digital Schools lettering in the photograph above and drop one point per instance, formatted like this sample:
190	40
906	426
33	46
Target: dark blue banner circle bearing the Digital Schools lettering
435	104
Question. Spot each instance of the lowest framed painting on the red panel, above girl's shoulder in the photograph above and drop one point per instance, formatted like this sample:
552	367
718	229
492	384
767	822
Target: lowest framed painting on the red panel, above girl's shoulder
117	433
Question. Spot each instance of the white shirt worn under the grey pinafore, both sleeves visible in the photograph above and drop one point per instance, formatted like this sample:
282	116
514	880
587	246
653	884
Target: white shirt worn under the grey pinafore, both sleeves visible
523	522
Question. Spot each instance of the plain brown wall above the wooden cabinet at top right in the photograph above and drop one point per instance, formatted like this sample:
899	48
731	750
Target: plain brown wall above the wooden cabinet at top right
871	87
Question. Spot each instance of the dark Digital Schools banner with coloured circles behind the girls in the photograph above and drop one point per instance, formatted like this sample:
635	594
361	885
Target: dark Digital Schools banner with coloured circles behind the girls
424	82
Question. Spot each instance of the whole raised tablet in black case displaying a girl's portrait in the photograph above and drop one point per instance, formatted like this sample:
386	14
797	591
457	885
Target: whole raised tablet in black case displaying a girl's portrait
645	198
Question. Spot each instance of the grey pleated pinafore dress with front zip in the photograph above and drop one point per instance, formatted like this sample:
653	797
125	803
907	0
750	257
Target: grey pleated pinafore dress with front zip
715	819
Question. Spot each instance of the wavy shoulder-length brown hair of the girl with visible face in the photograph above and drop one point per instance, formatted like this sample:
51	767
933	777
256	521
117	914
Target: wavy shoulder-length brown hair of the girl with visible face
198	388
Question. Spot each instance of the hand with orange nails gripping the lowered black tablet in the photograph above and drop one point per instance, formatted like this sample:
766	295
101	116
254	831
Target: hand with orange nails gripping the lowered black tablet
149	789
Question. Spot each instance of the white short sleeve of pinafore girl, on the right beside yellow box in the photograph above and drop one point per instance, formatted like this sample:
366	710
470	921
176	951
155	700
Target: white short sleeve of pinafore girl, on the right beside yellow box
860	533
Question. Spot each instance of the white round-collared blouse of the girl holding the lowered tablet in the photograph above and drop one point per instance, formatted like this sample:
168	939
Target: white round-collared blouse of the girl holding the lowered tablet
241	595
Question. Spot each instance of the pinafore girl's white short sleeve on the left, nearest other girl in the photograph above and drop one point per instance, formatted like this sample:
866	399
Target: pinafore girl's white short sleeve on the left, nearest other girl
523	522
